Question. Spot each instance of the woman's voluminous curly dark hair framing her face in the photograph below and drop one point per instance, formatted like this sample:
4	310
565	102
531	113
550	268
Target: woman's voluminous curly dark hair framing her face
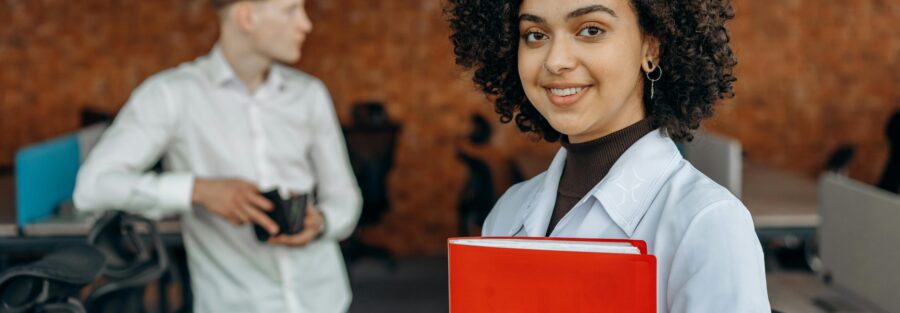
694	51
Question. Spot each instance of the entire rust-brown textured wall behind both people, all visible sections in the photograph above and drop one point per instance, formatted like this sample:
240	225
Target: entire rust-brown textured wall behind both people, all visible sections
812	75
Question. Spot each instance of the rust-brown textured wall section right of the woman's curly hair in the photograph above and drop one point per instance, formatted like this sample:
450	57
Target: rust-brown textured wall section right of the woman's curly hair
813	75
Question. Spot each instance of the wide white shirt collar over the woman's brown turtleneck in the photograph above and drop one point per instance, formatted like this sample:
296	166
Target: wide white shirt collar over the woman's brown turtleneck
626	192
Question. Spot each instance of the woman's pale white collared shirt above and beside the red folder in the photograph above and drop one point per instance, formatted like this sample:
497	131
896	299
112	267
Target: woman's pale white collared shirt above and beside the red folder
709	259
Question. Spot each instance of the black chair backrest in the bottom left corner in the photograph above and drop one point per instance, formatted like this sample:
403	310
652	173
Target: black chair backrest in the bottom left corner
52	283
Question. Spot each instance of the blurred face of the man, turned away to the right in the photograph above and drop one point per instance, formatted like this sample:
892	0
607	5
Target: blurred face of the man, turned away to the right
280	27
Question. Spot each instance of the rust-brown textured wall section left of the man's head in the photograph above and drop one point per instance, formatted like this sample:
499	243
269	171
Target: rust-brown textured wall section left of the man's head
57	56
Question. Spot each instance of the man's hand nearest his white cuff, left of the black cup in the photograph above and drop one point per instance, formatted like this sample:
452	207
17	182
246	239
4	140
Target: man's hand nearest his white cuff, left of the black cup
236	200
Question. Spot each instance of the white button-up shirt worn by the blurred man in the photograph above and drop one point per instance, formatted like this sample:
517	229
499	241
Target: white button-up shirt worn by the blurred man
205	124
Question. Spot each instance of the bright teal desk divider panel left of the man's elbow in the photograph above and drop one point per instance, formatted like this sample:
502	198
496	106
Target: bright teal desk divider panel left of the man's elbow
46	172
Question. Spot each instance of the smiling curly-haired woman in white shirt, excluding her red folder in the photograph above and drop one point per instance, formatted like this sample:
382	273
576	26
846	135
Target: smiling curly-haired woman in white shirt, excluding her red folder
617	82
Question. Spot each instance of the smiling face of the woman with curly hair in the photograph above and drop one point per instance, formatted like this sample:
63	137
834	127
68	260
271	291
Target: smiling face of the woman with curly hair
580	63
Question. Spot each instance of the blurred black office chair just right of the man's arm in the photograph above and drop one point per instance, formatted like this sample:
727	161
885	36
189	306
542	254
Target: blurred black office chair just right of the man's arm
371	140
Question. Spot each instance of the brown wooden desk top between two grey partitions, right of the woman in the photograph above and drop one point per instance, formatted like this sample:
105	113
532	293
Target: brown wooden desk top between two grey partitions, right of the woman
779	199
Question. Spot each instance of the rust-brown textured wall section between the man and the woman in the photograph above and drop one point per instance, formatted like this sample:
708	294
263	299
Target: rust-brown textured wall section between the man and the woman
398	52
